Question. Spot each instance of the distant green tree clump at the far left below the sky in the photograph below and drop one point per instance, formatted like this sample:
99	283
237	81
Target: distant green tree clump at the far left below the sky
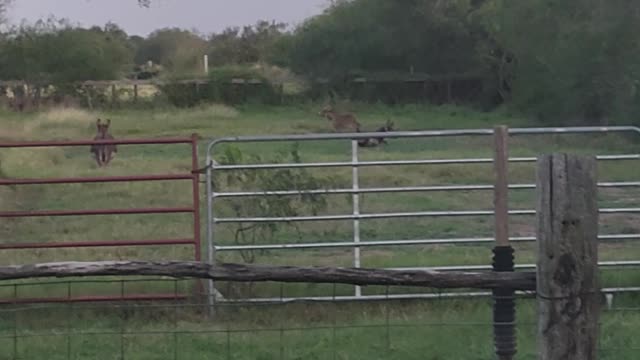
55	53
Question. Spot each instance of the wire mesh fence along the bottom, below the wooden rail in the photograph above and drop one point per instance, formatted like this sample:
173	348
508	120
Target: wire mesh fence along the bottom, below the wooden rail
182	329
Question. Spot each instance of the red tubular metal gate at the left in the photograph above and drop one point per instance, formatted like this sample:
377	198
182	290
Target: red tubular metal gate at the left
193	208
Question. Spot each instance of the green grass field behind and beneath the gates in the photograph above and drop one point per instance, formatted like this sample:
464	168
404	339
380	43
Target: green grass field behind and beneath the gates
441	329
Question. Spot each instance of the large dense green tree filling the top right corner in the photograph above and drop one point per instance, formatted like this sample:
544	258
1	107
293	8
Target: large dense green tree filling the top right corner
575	61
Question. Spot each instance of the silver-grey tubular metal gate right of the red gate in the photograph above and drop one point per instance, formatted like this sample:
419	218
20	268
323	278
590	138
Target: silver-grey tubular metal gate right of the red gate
358	244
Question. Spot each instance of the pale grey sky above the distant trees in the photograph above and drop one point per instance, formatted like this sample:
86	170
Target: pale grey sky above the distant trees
204	15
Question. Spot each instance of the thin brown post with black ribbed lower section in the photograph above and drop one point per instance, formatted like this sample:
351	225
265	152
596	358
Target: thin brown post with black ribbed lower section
504	306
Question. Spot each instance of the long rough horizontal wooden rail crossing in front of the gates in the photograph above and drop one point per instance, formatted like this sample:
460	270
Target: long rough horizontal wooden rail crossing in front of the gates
264	273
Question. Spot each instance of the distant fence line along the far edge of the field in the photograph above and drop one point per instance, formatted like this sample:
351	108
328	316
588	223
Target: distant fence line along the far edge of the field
407	89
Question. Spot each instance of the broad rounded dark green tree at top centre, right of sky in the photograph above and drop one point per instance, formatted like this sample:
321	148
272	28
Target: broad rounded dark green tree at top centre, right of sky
381	36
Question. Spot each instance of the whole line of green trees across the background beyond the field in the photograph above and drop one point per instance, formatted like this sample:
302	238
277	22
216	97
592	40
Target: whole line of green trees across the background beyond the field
562	61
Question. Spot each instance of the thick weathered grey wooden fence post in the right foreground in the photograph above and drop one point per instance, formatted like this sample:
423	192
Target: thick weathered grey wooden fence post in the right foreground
567	273
